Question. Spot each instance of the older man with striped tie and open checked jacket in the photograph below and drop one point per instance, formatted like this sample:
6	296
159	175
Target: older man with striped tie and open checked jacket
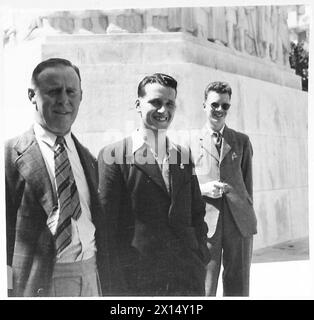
54	244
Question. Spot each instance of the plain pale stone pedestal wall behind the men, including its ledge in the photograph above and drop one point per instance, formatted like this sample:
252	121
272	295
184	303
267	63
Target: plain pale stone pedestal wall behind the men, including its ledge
267	104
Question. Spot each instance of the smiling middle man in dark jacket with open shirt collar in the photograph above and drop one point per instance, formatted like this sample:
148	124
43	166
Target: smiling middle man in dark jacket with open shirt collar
152	203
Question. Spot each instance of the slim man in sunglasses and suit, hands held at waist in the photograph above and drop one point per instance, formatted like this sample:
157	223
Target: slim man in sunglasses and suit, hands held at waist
223	160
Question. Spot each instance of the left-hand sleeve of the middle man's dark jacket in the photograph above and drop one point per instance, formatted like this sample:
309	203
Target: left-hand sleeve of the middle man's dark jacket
110	188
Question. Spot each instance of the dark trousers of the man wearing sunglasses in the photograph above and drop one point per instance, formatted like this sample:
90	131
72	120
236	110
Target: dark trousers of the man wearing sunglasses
229	246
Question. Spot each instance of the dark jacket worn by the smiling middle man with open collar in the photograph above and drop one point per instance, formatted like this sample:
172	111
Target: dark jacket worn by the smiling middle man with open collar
151	234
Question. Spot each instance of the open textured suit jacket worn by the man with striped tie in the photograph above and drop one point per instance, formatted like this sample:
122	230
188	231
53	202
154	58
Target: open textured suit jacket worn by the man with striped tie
29	201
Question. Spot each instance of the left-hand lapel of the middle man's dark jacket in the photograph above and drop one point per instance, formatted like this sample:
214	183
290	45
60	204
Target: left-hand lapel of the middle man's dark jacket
145	161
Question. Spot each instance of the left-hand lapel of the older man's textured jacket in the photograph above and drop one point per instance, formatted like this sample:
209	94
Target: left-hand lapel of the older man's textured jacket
32	167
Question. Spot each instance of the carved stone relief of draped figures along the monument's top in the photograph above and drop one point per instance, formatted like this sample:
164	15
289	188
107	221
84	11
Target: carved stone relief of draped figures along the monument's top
255	30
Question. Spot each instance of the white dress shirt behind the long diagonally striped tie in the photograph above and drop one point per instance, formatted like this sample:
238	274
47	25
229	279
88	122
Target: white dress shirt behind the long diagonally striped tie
82	246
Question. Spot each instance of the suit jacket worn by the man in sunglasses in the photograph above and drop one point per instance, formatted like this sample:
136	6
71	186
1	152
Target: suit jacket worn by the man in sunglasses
234	167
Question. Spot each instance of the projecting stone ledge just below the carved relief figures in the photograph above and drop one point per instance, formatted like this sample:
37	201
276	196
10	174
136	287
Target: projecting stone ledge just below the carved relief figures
167	48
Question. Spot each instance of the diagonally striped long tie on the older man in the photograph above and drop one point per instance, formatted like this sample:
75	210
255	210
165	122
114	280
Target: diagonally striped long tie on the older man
67	195
